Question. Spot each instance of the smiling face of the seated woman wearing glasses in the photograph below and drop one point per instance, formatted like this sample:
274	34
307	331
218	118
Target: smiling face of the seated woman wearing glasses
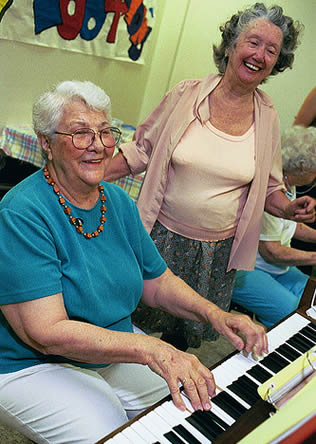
78	170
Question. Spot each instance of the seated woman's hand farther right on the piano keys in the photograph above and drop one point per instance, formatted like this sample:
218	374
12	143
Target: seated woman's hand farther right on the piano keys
231	325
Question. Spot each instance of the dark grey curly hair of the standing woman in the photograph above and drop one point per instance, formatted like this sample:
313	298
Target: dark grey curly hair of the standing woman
239	22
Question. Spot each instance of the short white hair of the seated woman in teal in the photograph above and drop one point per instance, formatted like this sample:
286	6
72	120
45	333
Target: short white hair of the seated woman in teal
49	106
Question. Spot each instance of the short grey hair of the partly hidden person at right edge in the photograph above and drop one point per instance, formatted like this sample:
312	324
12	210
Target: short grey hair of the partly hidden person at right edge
298	146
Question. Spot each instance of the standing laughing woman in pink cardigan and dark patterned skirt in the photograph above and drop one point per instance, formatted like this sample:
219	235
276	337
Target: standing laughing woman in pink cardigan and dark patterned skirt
212	159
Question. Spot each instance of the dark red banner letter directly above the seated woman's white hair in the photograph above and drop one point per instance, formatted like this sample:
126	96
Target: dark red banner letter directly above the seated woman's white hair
71	23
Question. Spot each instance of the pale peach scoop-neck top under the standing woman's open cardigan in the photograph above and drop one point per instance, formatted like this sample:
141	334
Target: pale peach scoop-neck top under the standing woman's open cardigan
209	176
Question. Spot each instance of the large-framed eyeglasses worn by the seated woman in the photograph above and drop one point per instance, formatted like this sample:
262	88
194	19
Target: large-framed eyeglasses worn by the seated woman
82	138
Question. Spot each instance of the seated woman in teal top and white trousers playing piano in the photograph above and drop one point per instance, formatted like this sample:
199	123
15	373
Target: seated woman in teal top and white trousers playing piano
75	262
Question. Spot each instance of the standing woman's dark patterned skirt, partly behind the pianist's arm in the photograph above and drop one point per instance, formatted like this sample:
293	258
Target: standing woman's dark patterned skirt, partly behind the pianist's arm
202	265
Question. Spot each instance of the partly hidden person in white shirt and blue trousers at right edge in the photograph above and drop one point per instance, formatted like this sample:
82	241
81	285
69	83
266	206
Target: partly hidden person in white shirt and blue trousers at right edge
274	288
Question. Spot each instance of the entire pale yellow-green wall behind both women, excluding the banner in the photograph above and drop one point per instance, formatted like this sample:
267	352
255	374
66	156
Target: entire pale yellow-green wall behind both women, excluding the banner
180	47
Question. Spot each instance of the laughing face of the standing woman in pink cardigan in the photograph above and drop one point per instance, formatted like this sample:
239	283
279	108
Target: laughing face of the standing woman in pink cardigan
255	53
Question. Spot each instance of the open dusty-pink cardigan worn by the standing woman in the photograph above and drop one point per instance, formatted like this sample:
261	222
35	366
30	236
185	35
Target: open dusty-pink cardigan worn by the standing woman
158	135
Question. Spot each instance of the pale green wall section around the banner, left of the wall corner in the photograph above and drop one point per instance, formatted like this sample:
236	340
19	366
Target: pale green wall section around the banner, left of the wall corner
28	70
